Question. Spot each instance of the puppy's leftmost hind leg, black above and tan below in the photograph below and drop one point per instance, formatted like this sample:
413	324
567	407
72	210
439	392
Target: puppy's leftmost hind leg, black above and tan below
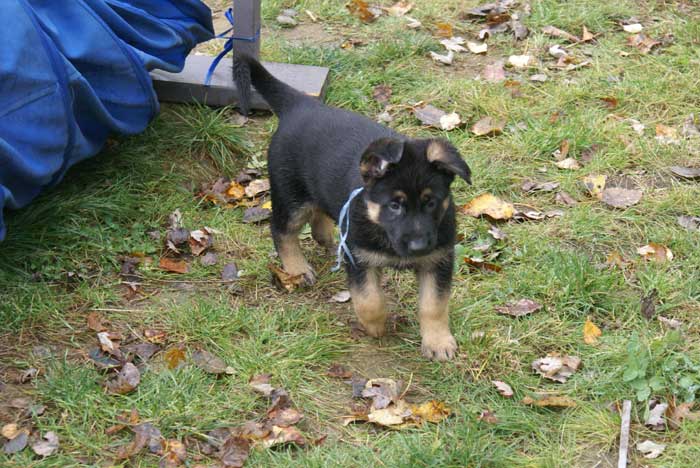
287	221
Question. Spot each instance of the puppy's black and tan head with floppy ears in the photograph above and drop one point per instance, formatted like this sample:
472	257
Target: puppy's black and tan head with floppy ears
407	189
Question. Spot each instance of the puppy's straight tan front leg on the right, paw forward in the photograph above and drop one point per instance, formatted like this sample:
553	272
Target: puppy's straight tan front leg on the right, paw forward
434	295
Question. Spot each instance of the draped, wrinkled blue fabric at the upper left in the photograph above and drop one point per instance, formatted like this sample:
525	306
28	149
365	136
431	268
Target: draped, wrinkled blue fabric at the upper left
74	72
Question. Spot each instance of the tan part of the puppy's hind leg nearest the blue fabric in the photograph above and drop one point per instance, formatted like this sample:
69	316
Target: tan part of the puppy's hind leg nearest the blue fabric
289	249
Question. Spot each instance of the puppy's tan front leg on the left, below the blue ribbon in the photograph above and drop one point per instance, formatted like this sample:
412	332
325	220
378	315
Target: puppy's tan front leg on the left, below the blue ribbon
368	300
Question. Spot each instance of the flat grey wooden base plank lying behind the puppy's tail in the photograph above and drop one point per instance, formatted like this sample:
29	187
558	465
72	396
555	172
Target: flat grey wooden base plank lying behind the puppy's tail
188	85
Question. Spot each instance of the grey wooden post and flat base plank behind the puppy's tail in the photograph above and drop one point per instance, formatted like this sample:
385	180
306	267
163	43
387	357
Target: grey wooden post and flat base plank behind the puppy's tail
188	85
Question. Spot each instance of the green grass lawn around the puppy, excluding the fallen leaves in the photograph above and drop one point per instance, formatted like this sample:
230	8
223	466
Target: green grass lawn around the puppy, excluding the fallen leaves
63	253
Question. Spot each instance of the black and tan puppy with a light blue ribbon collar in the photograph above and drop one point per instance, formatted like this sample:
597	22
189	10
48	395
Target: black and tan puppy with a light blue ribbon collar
404	216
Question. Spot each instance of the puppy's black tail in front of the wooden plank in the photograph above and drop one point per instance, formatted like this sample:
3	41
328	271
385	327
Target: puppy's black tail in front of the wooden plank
247	71
